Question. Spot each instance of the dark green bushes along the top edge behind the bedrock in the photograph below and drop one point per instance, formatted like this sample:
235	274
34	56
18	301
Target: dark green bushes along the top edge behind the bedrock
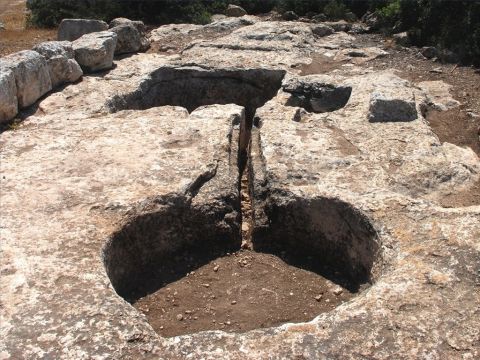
448	24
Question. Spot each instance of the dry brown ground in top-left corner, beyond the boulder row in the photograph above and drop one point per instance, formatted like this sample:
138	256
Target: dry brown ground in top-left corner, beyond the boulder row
17	37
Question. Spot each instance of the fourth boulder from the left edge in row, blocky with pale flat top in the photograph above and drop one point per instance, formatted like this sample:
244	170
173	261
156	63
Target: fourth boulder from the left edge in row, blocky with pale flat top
94	52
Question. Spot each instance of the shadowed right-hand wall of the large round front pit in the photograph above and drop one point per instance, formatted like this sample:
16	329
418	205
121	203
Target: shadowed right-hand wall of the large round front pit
322	235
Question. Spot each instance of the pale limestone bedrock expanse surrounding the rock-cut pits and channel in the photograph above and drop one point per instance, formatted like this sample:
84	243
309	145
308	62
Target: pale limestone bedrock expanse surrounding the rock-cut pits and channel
80	169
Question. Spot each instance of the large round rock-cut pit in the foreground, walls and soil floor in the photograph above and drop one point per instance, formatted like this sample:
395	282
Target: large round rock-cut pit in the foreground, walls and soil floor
187	274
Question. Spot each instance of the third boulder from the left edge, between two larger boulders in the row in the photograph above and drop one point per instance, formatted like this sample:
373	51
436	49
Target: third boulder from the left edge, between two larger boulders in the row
61	63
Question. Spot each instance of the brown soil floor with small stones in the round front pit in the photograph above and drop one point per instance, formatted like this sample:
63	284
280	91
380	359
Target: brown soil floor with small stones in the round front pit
240	292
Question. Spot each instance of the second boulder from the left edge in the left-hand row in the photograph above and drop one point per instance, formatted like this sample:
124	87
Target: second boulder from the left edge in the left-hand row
31	73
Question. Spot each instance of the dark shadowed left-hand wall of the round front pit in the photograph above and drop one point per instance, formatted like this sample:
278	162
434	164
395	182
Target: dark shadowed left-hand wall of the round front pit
163	245
